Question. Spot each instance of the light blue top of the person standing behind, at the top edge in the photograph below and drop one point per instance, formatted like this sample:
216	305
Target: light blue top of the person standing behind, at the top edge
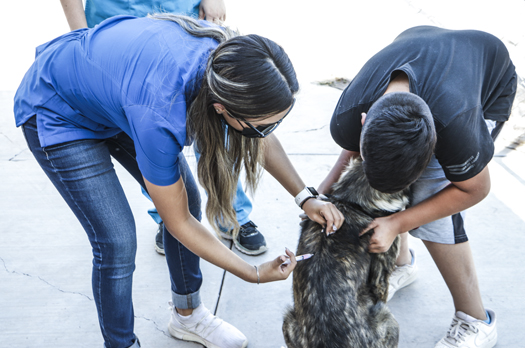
99	10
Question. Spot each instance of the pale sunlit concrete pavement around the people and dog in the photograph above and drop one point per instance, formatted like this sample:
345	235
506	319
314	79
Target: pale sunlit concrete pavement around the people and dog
45	258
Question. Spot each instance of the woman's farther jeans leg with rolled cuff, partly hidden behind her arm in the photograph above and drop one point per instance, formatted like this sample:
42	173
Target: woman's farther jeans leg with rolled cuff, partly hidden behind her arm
183	265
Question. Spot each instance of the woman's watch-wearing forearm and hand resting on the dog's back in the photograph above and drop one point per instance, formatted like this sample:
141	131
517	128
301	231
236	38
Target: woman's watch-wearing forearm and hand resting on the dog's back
277	163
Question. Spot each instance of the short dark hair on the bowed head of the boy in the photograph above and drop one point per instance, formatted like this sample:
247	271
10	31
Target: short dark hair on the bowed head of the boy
397	141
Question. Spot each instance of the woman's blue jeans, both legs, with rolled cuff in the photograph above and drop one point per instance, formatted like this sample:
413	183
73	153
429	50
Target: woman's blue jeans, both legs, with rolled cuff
83	173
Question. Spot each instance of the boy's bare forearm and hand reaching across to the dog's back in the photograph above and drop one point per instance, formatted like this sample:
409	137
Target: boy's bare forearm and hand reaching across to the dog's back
453	199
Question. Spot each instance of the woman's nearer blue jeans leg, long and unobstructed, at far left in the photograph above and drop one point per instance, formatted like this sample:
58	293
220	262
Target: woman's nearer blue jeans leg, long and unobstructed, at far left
83	174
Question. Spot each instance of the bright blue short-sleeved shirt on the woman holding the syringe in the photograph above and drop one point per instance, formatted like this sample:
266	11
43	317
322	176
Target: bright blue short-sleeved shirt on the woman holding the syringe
136	75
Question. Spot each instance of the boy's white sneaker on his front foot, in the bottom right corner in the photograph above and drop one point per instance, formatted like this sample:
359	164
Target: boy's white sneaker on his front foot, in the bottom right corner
468	332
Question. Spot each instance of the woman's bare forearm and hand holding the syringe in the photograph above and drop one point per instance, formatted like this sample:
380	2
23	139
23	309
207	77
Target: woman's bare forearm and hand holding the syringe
172	204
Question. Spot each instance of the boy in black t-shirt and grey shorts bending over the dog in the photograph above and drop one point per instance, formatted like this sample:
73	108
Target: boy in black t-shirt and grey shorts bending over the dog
424	111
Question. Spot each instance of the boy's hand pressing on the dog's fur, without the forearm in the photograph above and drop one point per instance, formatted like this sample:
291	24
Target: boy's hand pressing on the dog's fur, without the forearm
386	230
